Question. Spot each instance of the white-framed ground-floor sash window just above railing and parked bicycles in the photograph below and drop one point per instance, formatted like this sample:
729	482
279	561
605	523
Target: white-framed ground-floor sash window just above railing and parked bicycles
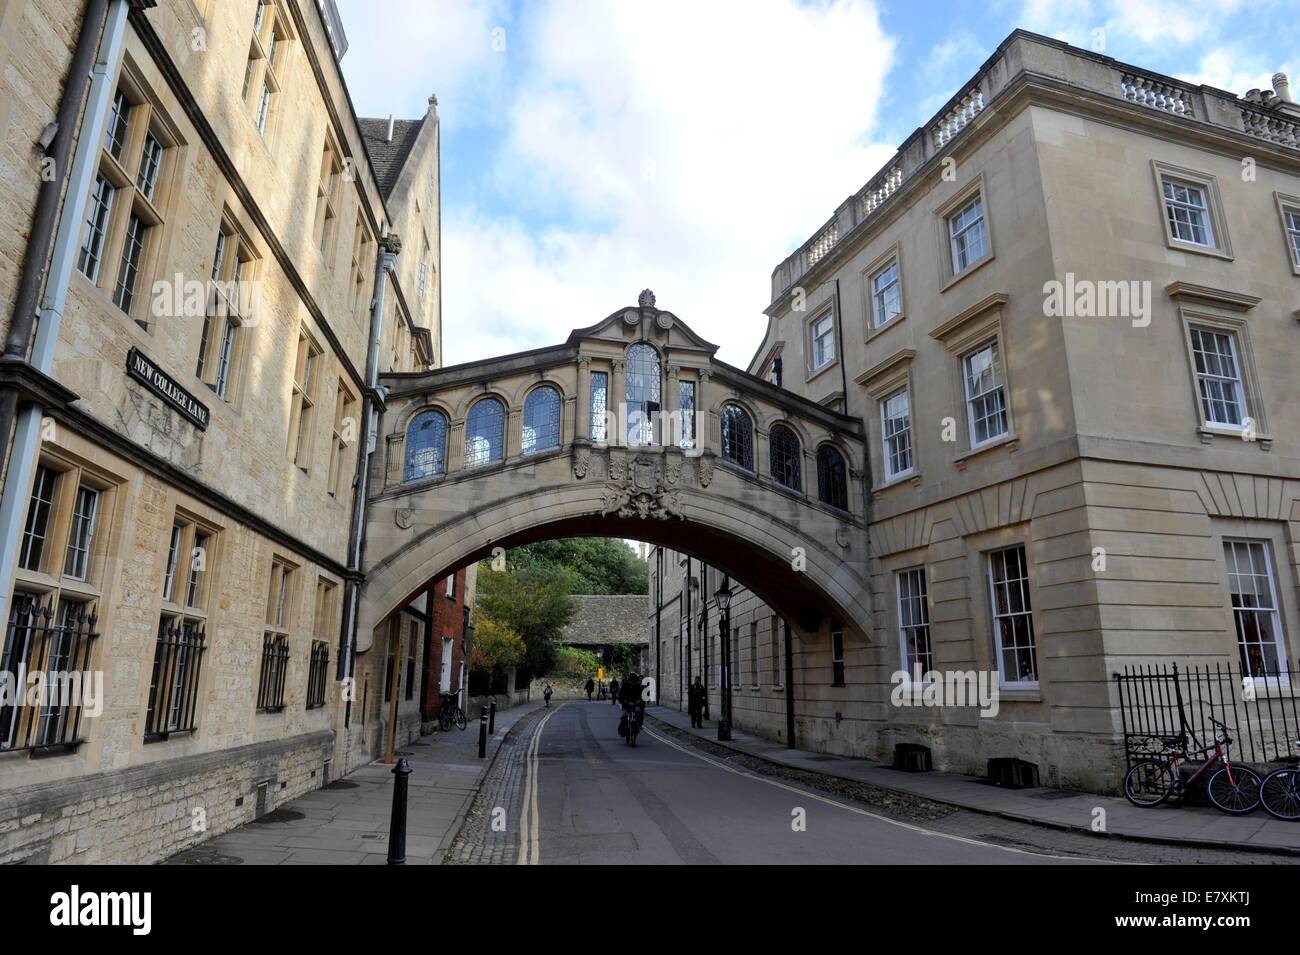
1255	607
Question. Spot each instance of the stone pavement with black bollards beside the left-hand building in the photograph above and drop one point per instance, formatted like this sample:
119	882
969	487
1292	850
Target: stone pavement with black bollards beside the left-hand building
348	822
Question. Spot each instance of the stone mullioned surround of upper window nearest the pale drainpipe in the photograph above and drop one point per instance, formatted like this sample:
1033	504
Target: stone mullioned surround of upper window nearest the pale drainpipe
145	116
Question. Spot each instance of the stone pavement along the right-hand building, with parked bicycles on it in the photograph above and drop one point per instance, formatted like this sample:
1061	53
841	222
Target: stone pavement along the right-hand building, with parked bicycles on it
1074	811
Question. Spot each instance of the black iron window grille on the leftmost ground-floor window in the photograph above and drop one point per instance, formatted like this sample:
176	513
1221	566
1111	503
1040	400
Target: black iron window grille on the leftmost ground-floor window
46	668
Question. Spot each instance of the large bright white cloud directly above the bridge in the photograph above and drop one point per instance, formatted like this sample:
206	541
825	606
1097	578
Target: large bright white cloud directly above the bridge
684	147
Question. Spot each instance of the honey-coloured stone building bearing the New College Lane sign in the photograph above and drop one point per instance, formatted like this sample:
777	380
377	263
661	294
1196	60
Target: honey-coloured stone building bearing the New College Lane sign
232	258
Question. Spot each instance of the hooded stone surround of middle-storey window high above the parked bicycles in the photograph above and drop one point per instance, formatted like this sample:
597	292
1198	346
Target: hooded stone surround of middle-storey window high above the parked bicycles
1223	312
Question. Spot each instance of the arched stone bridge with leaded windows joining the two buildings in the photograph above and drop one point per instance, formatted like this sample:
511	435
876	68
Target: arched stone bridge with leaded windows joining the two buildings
630	429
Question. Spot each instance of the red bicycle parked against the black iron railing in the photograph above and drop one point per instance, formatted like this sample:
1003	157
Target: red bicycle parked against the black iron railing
1233	789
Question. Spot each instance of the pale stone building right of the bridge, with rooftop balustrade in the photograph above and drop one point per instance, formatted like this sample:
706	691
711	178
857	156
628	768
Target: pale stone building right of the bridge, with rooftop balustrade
1067	311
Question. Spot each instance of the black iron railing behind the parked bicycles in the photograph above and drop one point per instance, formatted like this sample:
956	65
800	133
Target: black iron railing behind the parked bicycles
1260	709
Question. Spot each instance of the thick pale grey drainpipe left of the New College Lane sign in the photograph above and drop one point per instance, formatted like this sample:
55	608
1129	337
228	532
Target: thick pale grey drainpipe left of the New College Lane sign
105	33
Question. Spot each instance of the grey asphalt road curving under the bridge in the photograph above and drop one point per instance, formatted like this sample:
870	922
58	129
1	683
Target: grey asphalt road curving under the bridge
590	798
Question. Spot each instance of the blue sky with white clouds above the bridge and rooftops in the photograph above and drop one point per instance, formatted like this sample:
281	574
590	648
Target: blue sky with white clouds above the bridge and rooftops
593	149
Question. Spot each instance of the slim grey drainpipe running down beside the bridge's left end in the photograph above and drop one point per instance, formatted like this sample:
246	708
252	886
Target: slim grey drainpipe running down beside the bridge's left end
385	267
